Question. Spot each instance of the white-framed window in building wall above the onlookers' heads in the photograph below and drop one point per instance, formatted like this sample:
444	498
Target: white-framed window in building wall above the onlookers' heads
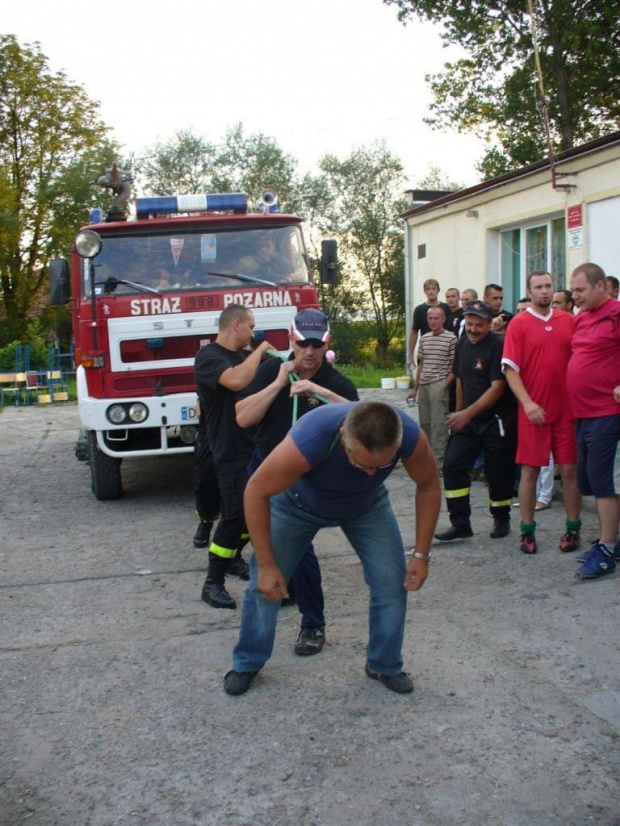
540	246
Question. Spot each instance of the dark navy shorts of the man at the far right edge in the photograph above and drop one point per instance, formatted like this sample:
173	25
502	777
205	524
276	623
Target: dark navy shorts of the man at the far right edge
598	461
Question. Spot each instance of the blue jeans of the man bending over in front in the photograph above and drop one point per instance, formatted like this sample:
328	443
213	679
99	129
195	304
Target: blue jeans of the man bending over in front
376	539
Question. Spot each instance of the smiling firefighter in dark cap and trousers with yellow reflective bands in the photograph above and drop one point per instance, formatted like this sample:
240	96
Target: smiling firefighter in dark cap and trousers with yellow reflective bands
485	420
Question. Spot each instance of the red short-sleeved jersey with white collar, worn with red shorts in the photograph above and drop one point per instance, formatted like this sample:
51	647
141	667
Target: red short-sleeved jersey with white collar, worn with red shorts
538	348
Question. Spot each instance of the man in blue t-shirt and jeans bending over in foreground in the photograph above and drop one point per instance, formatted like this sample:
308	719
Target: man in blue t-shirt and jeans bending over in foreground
329	472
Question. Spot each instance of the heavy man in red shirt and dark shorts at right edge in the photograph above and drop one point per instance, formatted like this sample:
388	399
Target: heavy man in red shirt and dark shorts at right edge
592	378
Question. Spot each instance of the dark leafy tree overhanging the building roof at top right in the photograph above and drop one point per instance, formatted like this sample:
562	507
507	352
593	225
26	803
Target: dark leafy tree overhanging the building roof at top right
494	91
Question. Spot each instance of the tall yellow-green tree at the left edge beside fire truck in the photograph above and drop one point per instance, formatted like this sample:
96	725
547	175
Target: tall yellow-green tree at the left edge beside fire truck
52	143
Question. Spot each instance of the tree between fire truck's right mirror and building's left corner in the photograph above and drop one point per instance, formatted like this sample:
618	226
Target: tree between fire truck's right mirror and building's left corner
364	192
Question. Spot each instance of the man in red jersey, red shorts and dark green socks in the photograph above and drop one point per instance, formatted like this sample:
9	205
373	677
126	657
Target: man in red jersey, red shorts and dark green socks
536	354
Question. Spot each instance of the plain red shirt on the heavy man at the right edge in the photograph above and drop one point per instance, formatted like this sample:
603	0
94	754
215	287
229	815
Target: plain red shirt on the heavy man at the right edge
594	368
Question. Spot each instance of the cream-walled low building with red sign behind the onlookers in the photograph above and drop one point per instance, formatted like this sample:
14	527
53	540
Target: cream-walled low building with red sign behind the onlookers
539	217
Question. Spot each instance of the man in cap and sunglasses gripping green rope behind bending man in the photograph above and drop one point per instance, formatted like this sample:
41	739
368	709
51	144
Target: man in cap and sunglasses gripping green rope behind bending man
271	404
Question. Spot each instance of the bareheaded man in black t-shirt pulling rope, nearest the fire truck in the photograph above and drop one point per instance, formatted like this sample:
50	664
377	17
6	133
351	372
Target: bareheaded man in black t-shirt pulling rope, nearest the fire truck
222	369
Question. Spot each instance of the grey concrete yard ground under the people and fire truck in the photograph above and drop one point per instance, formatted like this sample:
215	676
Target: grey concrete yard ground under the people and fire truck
113	709
